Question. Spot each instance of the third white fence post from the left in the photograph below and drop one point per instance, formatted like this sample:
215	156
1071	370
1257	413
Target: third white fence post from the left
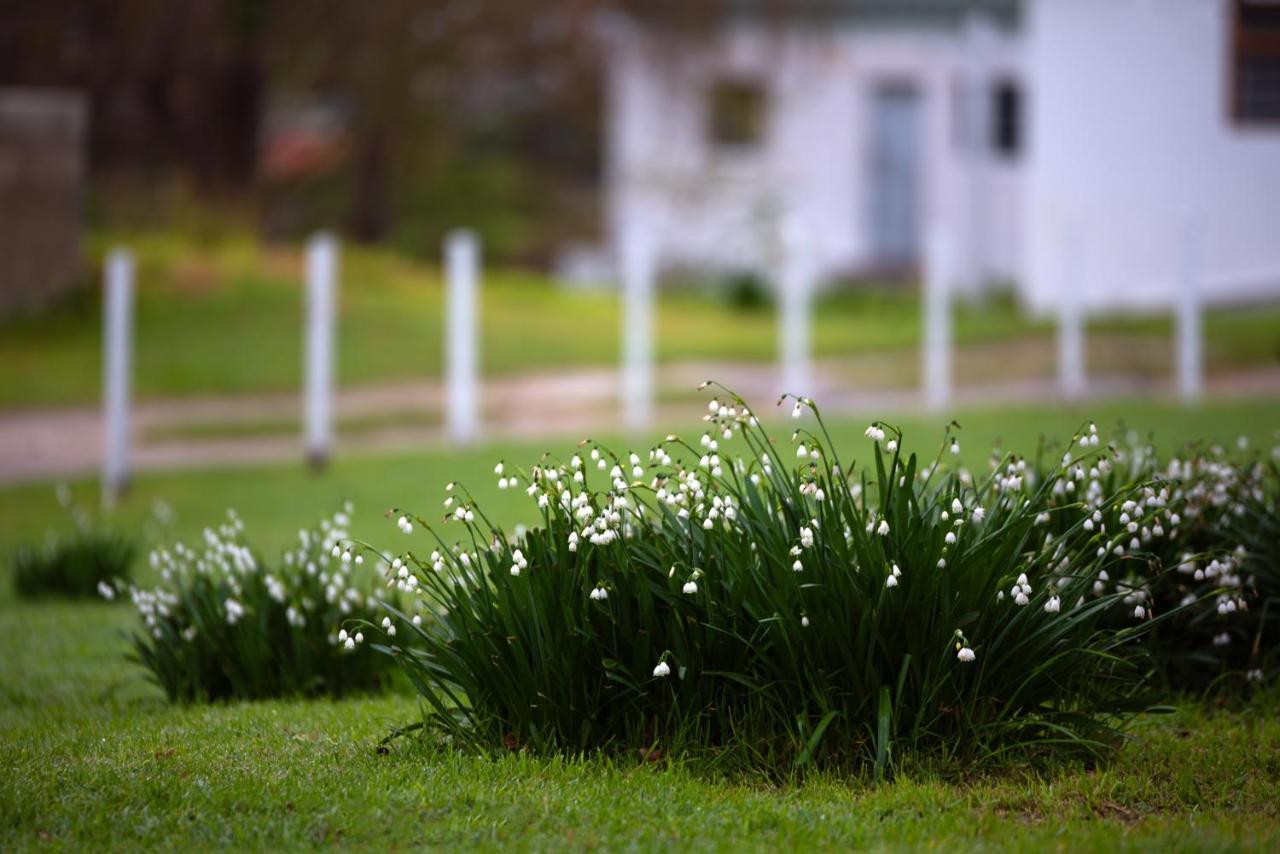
461	336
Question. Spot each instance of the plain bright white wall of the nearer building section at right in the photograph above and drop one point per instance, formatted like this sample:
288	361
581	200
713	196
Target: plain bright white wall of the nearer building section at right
1130	133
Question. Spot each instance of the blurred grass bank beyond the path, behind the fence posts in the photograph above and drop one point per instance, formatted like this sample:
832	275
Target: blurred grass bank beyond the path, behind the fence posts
226	317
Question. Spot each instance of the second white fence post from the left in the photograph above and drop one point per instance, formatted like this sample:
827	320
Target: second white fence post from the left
321	321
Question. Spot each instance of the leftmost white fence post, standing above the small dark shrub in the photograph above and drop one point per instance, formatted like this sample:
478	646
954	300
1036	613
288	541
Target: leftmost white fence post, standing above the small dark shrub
117	373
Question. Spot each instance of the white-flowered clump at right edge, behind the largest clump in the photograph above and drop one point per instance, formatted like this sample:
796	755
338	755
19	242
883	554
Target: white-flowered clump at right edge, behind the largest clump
1196	541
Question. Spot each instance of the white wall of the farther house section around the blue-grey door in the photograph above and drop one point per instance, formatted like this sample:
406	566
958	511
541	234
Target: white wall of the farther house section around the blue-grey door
721	209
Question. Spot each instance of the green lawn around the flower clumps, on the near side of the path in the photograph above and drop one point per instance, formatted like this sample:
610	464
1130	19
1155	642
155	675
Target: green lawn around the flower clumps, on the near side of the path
93	757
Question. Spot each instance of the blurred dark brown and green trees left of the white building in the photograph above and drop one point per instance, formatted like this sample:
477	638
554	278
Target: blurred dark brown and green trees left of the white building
456	111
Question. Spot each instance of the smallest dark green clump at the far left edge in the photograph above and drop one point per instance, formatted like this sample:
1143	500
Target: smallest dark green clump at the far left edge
74	565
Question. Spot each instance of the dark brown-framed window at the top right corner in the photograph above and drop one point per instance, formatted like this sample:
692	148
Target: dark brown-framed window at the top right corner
1256	61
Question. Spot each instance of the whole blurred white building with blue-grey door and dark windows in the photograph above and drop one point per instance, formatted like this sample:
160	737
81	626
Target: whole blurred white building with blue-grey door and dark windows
1025	130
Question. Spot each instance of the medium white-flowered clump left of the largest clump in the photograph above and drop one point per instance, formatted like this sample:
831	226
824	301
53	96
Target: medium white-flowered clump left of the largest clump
223	625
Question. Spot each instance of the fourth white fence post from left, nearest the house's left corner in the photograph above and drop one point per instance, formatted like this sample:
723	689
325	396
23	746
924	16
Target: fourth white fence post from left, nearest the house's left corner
638	272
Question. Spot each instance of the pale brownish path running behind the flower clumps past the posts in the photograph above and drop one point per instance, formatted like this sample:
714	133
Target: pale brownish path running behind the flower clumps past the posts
42	445
